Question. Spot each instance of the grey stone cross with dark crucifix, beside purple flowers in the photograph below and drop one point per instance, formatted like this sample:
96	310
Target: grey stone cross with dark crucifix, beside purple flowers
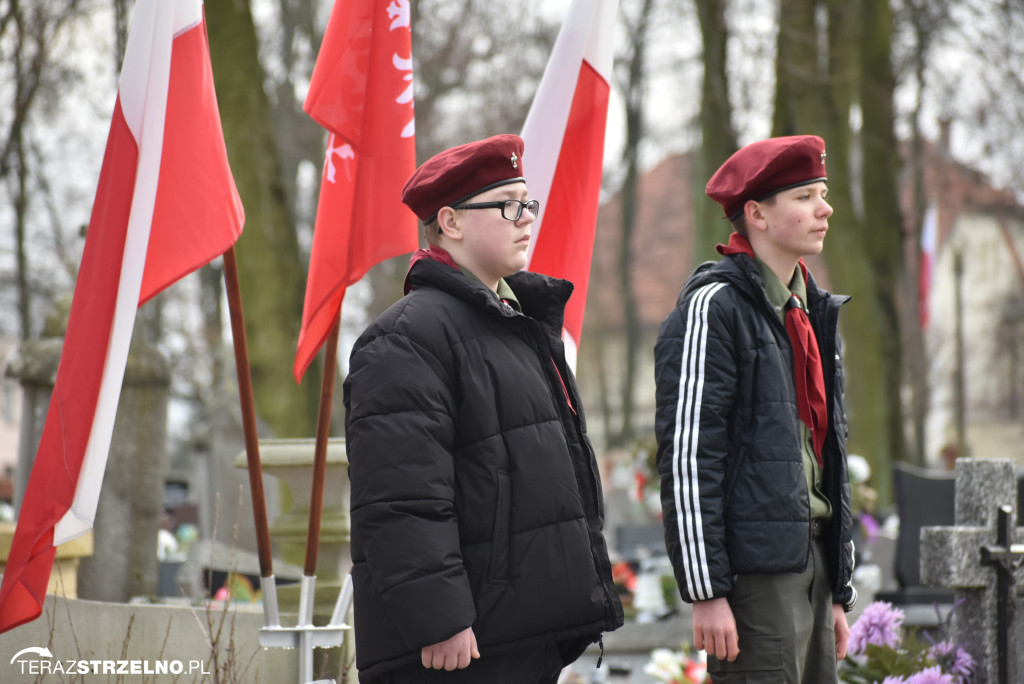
969	558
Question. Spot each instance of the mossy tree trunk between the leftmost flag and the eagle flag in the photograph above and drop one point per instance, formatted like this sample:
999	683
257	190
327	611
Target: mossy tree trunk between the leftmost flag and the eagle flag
271	273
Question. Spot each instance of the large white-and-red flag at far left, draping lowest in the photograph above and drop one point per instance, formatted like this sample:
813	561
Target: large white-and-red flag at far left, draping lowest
166	204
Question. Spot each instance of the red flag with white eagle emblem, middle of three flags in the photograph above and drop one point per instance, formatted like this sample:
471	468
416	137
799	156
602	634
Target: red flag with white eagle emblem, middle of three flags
362	93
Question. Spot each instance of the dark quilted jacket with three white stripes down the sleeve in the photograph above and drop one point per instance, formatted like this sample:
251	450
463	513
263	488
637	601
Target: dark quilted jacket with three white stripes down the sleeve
734	490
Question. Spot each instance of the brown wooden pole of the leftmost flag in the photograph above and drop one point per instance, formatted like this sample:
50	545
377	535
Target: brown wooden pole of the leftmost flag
248	415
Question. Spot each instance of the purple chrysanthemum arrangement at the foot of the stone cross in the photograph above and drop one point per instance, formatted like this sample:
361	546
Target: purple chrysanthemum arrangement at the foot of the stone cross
879	653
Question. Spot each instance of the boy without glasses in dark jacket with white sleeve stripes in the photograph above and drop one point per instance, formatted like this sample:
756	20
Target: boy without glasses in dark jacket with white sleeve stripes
752	431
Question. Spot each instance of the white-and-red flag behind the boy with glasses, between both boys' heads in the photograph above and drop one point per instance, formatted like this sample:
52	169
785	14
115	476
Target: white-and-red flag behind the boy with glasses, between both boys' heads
565	153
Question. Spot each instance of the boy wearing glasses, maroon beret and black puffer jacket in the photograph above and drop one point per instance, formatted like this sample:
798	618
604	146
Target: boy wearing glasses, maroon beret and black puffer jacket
477	505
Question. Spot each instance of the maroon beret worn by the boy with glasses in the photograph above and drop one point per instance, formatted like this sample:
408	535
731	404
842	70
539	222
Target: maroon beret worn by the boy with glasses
457	175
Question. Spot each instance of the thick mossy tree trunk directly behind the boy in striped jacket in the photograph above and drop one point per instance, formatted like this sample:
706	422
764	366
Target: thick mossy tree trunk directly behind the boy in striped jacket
820	78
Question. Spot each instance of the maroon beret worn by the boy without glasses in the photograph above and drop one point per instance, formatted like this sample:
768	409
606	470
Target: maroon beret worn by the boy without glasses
764	168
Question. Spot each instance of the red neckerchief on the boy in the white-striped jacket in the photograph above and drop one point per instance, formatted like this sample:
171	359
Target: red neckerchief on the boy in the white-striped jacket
806	357
